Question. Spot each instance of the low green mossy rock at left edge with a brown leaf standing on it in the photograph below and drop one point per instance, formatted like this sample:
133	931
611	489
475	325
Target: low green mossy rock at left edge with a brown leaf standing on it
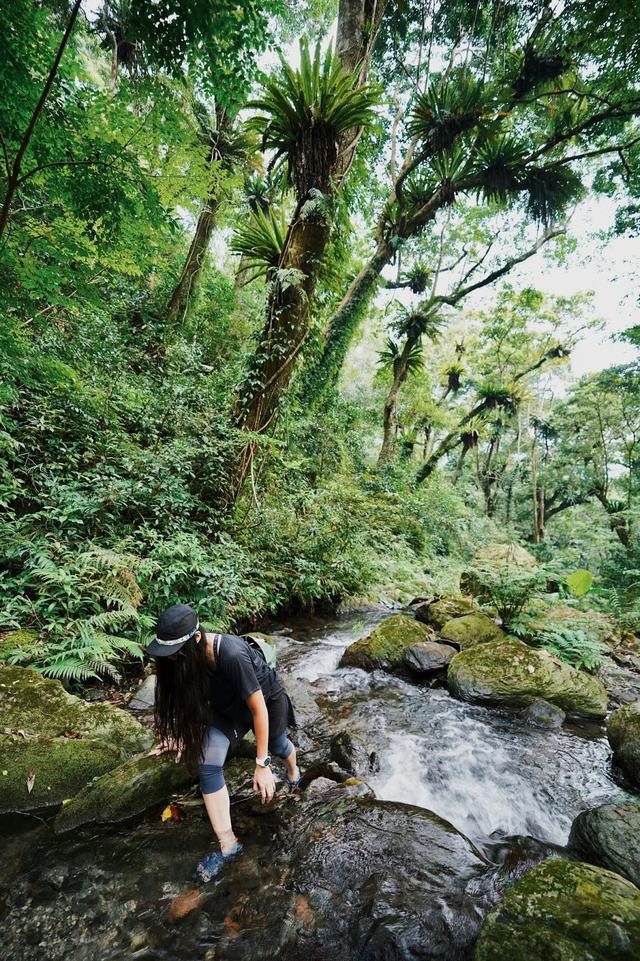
62	766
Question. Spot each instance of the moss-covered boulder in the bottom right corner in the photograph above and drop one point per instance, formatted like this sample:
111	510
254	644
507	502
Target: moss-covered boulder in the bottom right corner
564	911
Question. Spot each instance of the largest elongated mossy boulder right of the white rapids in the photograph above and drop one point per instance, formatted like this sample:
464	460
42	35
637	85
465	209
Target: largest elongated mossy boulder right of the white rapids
509	673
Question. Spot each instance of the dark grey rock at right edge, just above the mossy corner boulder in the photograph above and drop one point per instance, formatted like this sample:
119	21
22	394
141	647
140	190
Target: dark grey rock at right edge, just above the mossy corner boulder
609	835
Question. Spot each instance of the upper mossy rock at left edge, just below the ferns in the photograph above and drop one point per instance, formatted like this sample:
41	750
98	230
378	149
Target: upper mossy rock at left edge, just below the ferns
40	706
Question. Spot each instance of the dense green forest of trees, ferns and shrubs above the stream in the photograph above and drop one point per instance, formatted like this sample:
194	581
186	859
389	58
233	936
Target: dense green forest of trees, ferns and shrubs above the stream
207	392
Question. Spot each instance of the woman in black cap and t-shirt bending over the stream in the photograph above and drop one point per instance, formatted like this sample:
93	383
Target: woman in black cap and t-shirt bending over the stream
211	689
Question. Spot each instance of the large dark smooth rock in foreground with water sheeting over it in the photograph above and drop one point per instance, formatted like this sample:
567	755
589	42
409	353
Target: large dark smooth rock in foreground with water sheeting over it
386	880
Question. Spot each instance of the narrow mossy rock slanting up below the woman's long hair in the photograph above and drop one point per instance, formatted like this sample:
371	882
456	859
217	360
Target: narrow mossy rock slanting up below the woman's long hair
128	790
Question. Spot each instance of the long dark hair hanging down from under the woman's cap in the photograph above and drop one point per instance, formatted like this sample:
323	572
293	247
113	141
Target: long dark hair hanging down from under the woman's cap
182	711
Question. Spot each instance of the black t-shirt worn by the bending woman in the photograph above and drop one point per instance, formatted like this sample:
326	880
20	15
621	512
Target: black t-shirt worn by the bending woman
240	671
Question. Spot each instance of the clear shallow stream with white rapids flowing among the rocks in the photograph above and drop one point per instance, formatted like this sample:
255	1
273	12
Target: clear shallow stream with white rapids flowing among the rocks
111	893
